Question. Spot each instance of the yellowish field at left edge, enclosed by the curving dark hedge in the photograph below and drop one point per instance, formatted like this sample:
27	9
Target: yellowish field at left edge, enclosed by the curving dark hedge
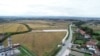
12	27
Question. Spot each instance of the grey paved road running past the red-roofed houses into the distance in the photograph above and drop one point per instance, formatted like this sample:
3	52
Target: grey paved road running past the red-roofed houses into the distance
66	48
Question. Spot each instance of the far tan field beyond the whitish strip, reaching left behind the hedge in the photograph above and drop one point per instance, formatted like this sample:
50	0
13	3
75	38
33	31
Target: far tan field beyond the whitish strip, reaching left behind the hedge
45	24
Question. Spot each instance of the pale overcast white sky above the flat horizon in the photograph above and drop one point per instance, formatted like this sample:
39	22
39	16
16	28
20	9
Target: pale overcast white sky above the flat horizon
81	8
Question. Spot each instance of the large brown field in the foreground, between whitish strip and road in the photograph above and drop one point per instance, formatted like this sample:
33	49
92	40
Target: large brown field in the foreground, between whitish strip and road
41	43
